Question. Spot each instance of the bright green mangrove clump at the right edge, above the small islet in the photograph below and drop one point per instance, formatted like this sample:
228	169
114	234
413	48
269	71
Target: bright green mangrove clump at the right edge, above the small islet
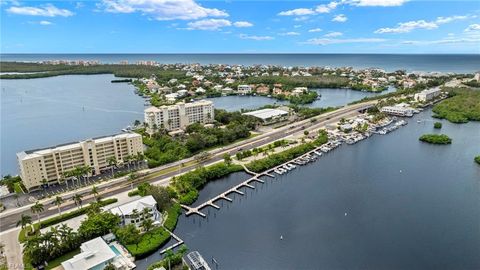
461	107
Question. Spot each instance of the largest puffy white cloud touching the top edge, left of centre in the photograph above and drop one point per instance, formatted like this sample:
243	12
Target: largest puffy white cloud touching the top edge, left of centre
163	9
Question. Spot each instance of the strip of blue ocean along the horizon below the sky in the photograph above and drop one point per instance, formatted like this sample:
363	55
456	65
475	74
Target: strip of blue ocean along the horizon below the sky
459	63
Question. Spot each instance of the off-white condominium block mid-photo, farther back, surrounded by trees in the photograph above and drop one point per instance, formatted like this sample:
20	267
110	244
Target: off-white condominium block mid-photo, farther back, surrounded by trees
179	116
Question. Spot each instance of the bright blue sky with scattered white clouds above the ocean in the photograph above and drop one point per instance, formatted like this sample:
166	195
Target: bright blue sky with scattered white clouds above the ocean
236	26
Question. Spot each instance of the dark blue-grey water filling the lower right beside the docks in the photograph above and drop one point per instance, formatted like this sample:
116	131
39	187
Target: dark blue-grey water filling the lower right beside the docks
409	205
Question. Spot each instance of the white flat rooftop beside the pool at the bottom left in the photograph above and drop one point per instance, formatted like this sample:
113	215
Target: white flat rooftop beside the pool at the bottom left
93	253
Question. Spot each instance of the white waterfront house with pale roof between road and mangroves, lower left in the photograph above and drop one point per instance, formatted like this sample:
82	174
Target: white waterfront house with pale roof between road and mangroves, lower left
131	213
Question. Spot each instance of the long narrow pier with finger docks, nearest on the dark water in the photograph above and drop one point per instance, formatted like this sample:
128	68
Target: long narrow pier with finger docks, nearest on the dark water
235	189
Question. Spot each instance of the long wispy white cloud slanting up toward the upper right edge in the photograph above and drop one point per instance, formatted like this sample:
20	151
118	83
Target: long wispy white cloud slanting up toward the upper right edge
407	27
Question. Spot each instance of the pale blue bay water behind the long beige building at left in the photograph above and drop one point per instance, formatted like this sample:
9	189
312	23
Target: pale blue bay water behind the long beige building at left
44	112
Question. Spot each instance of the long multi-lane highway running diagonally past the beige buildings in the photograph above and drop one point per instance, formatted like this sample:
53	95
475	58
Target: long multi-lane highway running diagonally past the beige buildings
9	219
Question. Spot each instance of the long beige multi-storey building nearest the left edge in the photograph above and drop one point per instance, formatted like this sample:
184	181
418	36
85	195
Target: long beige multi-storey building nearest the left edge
51	163
